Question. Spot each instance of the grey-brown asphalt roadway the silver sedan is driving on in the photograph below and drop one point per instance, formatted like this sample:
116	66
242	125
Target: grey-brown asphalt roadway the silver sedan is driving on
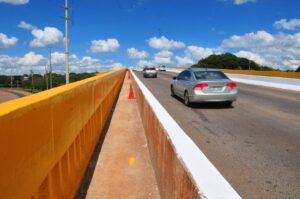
255	144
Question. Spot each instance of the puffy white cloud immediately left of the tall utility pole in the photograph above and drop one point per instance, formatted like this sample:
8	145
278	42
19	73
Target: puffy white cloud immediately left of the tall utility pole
48	36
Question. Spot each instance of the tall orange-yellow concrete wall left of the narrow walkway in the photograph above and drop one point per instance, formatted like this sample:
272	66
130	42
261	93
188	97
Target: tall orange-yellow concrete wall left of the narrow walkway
46	139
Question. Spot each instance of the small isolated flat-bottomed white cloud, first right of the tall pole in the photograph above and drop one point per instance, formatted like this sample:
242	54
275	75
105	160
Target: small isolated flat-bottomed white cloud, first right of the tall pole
104	46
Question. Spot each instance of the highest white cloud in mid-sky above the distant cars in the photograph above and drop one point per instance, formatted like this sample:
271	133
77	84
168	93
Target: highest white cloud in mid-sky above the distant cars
164	43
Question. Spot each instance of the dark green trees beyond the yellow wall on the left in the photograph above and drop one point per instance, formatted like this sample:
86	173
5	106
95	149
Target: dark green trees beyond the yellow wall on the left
36	82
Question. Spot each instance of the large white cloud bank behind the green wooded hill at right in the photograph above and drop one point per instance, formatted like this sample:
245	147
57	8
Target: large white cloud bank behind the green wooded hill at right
278	50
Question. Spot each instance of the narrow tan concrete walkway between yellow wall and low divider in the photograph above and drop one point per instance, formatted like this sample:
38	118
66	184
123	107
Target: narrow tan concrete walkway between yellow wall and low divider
123	168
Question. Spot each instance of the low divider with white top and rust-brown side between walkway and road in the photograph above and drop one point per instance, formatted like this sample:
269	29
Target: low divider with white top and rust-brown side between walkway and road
181	169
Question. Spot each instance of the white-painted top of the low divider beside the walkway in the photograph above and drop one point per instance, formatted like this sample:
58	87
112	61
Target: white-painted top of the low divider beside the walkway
210	182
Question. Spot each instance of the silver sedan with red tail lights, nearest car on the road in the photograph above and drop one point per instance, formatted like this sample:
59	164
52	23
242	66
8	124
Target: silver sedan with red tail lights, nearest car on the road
196	85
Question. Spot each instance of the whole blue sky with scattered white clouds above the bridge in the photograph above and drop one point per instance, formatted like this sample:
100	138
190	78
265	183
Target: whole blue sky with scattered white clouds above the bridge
108	34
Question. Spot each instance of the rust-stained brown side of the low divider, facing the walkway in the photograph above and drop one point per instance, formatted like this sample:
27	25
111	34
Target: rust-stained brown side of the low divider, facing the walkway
172	178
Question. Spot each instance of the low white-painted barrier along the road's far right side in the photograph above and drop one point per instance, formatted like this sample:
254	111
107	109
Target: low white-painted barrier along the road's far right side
272	82
